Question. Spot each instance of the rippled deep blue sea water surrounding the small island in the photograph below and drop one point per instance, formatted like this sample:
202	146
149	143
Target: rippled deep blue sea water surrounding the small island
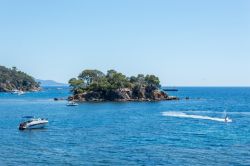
129	133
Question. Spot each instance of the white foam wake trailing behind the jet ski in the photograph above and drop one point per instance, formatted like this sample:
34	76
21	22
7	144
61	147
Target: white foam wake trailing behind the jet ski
184	115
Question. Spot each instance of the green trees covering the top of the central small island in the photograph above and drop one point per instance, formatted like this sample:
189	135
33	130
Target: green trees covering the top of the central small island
94	80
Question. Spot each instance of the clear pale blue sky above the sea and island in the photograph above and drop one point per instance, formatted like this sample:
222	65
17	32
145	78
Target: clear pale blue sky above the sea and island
185	43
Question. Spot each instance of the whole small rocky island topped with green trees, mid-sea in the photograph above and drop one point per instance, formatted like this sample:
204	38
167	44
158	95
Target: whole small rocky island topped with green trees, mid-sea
94	85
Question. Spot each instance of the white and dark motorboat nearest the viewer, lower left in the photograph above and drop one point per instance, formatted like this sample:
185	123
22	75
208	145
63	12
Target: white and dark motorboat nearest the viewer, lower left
33	123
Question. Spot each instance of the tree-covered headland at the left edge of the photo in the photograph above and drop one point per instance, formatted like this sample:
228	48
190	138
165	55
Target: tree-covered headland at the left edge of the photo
13	79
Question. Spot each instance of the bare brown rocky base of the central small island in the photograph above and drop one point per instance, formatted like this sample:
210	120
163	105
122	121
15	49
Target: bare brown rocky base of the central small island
124	94
